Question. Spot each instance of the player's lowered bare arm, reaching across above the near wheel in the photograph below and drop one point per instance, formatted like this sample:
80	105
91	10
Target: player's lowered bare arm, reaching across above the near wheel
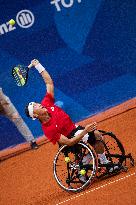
70	142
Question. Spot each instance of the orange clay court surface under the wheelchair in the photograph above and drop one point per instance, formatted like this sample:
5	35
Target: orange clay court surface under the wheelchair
27	178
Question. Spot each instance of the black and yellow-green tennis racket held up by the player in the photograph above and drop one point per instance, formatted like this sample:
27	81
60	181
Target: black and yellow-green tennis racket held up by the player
20	74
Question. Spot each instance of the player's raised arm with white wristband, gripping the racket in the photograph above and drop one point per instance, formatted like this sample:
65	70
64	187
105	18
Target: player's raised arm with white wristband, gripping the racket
46	76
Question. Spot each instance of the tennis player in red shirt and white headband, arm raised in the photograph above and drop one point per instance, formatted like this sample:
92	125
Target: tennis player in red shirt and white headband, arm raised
57	125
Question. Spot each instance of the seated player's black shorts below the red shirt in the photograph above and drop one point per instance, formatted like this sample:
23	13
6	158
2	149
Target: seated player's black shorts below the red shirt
91	138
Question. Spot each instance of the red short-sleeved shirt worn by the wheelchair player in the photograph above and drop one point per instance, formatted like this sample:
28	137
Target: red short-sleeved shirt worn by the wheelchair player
59	123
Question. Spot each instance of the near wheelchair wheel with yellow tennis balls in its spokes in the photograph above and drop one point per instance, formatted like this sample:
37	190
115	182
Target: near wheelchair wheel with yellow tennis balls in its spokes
69	169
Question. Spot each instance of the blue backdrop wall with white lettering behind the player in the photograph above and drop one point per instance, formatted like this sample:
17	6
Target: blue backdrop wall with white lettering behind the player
89	48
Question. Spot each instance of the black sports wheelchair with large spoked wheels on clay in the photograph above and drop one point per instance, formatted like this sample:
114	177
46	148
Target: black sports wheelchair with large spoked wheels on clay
68	166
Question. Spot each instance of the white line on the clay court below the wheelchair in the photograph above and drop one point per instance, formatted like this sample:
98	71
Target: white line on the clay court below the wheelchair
92	190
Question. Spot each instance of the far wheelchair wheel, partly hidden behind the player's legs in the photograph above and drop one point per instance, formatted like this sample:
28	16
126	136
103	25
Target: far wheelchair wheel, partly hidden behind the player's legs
114	149
